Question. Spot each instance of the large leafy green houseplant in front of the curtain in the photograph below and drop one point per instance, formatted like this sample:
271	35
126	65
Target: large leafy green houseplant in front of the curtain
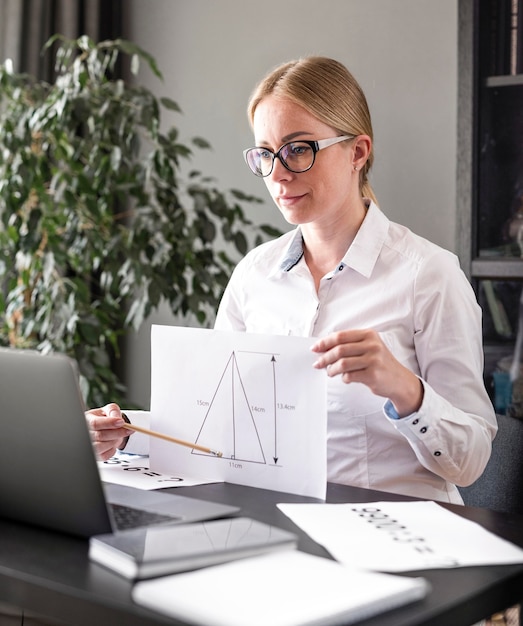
98	223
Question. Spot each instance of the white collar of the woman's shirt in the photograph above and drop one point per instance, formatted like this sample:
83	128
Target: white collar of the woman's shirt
362	253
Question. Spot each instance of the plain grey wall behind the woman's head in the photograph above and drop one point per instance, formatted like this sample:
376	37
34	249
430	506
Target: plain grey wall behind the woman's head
403	53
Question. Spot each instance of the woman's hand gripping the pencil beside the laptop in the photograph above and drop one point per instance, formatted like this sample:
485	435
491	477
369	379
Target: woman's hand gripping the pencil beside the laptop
107	431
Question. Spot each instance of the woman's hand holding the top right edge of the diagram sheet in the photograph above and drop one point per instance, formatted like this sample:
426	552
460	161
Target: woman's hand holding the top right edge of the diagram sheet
361	356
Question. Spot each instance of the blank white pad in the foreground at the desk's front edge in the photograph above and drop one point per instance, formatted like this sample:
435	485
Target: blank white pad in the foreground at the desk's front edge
287	588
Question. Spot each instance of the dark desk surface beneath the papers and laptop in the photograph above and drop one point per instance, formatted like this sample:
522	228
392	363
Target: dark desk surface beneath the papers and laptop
50	574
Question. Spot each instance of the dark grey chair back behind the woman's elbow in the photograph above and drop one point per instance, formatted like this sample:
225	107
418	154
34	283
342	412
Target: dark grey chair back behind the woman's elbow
500	487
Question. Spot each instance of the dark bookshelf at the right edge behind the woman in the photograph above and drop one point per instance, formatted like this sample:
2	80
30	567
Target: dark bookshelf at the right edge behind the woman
495	260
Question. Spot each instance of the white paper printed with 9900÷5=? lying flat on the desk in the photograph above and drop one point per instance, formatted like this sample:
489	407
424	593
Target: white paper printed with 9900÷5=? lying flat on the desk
400	536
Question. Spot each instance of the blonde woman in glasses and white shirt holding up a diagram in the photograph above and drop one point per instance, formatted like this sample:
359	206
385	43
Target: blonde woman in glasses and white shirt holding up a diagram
398	326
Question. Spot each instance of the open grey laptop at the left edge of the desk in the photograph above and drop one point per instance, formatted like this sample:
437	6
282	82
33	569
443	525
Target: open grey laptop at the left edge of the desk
48	470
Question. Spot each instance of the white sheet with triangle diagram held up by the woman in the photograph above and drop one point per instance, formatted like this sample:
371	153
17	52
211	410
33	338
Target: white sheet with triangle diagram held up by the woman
256	399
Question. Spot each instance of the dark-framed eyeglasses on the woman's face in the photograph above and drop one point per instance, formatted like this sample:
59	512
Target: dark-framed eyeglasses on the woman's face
296	156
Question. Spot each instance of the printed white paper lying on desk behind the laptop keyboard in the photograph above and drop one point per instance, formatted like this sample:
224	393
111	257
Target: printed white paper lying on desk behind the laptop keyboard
132	470
